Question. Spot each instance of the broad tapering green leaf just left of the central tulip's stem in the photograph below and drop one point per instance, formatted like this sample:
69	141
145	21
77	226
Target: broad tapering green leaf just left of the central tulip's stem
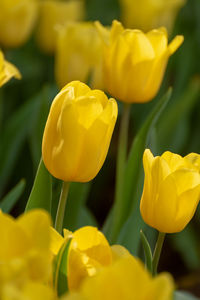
41	193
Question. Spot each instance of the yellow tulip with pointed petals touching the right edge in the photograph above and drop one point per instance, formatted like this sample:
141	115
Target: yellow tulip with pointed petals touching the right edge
171	191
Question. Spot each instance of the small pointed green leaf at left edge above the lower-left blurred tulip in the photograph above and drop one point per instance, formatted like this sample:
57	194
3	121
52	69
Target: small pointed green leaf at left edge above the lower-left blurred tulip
12	197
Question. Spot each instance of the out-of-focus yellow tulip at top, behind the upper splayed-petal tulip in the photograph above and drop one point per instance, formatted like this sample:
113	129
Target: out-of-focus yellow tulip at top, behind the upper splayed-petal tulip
150	14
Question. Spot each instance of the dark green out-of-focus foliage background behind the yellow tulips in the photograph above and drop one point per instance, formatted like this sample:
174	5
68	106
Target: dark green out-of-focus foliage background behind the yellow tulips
24	107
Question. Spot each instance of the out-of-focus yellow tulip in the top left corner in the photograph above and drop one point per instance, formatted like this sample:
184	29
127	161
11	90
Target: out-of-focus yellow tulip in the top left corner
17	19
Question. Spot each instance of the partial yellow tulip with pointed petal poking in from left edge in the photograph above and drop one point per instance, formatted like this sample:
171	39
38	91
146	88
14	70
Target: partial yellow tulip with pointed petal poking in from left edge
7	70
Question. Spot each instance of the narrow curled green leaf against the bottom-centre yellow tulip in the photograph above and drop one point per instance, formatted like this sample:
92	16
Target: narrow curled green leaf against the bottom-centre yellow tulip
60	269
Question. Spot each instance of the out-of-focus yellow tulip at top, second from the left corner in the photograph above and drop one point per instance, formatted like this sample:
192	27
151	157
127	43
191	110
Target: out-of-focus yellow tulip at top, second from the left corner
53	14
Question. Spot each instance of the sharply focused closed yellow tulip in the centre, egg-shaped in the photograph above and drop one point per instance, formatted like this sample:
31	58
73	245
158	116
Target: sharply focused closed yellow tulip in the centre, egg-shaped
78	132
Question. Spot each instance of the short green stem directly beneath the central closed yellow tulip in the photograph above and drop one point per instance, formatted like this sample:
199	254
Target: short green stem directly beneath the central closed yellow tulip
61	207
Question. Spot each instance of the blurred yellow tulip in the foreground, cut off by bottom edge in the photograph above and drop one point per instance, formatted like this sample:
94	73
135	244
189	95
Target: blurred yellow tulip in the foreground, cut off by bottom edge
125	279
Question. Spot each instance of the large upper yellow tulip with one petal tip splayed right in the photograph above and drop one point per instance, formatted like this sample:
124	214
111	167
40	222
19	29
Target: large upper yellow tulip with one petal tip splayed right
134	62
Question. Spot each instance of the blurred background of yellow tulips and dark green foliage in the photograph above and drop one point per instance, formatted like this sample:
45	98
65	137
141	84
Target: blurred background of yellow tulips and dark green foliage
42	39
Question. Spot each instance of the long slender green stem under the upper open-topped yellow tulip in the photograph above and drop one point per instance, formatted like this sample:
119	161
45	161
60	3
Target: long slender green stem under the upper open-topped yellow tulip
121	161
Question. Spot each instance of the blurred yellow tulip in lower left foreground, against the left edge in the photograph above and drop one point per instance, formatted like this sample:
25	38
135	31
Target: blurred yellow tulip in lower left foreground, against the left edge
25	247
